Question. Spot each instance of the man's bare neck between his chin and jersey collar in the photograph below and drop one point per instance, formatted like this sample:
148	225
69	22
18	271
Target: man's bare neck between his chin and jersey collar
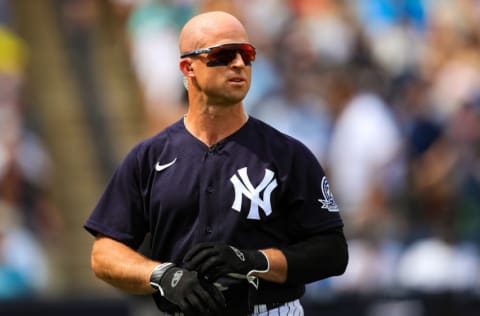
211	124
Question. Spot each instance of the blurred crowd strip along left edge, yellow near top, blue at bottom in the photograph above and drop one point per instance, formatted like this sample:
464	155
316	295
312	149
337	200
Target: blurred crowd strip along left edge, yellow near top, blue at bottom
28	218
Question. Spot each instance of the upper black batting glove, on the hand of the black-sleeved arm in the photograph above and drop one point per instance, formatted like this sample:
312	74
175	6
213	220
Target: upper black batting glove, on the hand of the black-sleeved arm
213	260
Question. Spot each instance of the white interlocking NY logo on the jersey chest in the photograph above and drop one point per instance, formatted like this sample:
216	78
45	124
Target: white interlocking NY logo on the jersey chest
243	186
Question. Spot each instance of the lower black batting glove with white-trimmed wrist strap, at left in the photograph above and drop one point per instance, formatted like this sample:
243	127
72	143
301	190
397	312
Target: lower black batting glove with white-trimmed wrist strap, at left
185	290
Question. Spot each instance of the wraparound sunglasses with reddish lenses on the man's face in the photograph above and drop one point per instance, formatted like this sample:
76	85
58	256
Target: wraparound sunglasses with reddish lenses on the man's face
223	54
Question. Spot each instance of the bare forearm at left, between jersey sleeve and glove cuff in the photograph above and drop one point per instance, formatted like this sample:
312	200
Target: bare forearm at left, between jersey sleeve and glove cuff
121	266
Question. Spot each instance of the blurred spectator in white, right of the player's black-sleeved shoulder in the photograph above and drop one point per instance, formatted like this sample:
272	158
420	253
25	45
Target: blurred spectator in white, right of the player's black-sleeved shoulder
365	156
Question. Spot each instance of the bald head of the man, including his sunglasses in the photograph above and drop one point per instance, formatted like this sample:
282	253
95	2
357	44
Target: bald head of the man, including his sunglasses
221	73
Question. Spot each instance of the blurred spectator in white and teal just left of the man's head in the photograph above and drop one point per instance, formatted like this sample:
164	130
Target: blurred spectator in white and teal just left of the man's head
152	32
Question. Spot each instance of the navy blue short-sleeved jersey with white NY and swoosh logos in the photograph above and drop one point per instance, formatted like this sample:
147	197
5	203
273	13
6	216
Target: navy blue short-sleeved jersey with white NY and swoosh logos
255	189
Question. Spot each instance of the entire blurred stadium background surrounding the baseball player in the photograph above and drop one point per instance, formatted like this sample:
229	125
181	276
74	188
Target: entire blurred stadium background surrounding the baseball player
386	93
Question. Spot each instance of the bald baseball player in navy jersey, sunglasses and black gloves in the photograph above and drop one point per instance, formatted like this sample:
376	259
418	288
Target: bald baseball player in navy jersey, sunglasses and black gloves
240	216
